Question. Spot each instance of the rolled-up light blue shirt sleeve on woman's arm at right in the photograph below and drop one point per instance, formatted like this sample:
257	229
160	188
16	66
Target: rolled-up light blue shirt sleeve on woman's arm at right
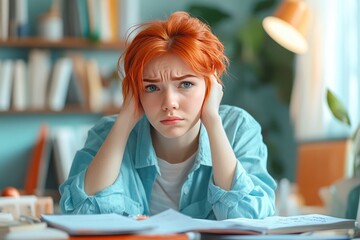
252	194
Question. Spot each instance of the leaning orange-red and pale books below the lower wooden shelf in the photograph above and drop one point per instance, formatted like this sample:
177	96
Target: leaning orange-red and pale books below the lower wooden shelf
57	144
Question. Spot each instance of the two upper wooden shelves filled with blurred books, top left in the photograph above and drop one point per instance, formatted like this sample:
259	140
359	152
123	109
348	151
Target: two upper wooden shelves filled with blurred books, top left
81	21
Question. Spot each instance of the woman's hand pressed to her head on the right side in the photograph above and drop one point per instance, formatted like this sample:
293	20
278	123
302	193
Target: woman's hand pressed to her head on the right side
210	109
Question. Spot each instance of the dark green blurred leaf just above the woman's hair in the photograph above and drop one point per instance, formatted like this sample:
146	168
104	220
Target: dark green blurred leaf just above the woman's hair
210	15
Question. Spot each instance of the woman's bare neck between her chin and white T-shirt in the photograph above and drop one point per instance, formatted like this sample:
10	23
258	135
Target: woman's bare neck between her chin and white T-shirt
179	149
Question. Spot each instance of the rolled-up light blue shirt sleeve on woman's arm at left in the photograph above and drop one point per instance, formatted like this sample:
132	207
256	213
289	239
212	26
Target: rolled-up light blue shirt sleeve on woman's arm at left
114	198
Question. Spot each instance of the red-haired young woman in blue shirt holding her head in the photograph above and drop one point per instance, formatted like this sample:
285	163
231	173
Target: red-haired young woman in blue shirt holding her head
172	145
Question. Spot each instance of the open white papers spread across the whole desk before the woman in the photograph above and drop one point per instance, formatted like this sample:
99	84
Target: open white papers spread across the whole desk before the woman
170	221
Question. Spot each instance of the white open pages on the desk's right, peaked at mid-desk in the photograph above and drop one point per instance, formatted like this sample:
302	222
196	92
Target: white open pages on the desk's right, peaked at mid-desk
171	221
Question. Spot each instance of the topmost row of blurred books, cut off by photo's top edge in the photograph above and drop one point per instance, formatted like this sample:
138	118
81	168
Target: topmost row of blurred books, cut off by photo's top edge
102	20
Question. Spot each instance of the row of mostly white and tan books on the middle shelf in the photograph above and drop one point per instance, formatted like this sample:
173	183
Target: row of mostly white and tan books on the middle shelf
41	85
